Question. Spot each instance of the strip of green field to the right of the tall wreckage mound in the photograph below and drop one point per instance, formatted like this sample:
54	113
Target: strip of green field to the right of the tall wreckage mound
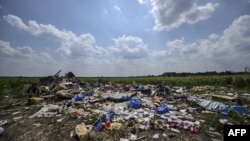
237	81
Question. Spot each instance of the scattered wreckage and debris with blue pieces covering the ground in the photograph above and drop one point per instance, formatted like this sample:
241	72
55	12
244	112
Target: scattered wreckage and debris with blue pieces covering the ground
107	111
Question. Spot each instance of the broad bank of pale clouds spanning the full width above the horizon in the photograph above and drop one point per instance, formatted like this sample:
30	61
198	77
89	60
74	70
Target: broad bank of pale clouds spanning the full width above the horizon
127	53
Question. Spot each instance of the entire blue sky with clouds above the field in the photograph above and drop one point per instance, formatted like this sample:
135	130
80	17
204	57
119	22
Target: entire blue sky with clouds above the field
123	37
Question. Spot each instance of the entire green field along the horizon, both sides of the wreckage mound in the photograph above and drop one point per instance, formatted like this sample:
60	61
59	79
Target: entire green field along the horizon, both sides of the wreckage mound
235	81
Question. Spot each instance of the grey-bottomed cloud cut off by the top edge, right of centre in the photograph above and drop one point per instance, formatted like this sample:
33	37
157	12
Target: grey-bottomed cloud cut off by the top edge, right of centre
170	14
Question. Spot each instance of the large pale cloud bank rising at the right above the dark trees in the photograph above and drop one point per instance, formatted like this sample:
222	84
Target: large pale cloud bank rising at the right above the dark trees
229	51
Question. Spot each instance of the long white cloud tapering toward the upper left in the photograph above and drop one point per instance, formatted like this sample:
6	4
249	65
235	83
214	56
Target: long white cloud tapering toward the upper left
71	44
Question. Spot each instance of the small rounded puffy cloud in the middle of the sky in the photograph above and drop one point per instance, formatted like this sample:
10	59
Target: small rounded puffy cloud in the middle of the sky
129	47
